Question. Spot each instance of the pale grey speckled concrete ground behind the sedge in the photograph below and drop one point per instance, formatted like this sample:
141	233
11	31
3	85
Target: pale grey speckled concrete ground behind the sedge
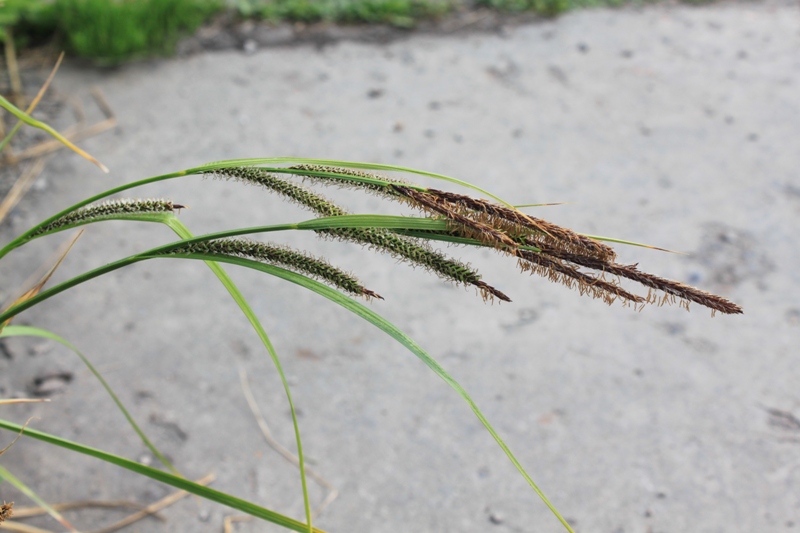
676	126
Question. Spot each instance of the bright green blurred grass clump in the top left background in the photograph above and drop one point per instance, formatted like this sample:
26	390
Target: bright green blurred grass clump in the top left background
110	32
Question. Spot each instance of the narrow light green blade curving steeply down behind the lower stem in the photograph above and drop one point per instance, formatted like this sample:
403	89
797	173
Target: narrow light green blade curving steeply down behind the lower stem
183	232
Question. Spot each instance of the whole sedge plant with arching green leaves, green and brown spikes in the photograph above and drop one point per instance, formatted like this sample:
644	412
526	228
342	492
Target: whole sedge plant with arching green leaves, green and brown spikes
585	263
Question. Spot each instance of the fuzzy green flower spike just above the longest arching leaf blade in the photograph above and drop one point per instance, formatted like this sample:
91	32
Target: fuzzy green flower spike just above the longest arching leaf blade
282	256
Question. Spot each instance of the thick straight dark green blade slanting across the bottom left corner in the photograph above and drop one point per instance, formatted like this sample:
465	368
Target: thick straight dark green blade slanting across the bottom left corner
167	478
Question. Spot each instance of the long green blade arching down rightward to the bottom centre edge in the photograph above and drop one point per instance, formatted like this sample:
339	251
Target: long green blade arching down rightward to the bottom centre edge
387	327
